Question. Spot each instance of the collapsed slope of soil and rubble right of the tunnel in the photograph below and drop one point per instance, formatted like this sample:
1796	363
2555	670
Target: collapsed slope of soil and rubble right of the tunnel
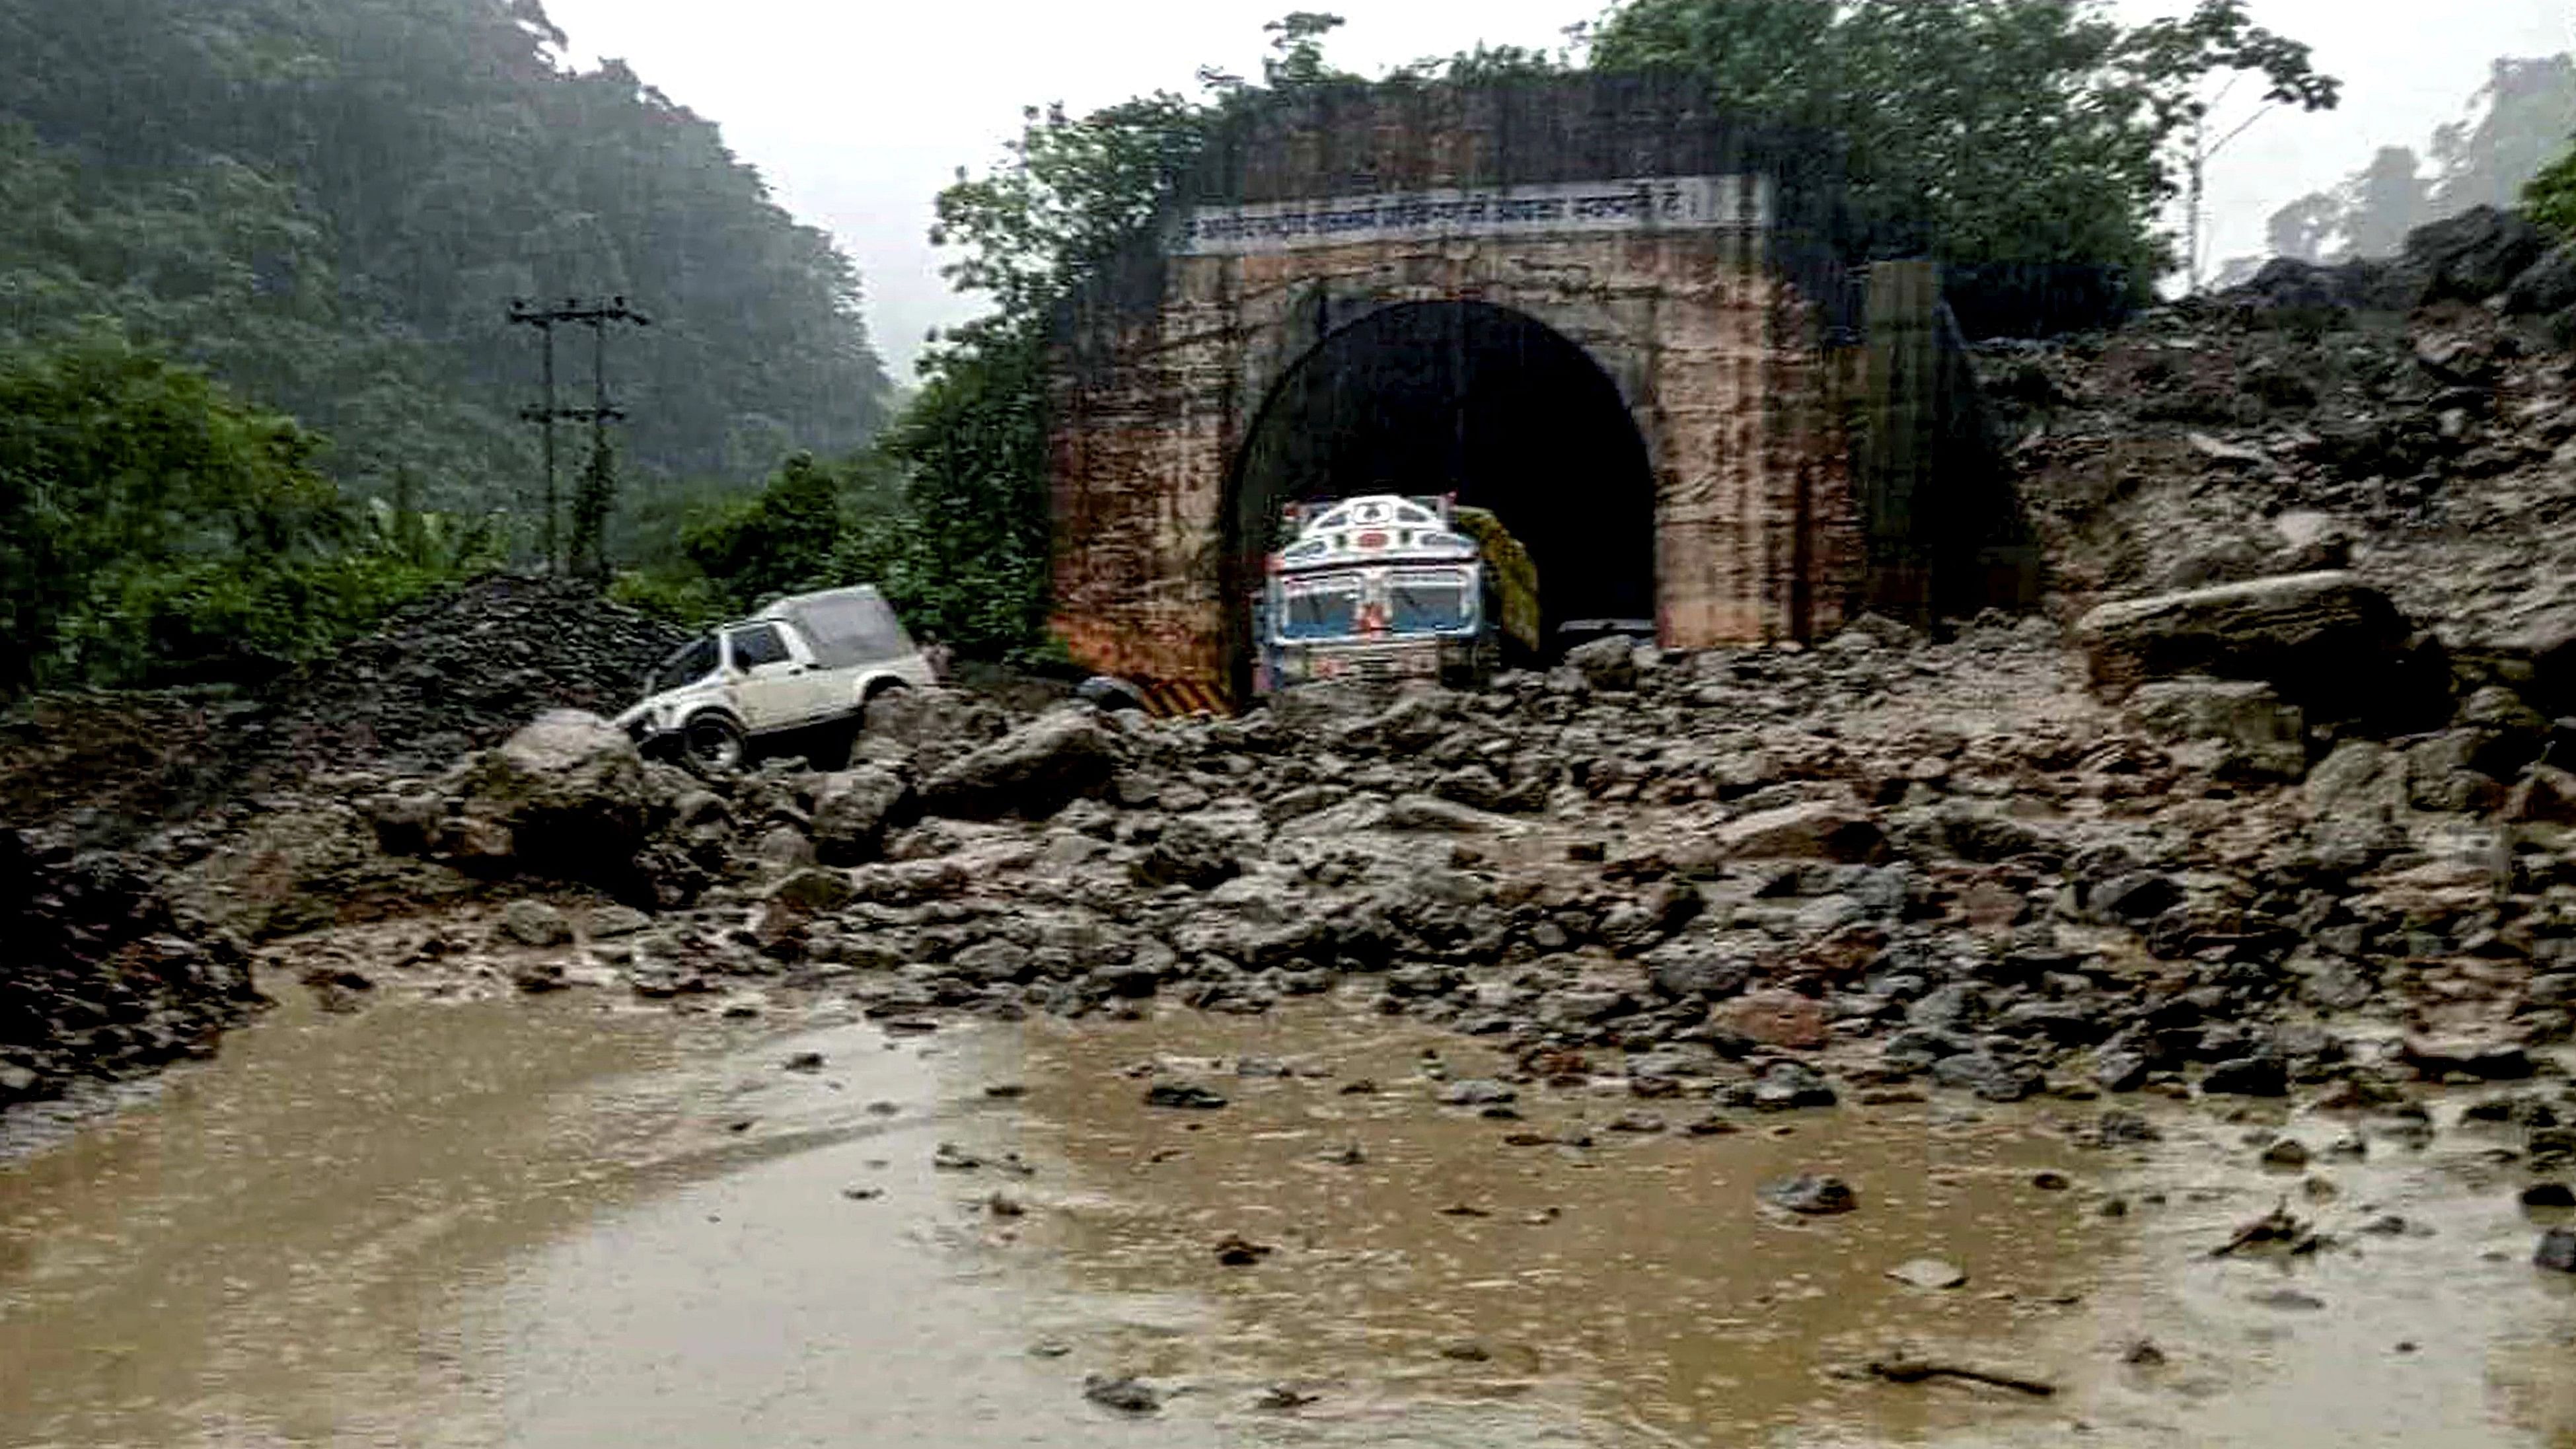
2410	419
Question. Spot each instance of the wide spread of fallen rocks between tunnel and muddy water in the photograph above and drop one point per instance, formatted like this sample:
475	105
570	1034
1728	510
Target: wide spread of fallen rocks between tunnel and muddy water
1745	873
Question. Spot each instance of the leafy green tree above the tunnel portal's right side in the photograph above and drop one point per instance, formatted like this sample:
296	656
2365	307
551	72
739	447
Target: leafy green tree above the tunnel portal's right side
1980	130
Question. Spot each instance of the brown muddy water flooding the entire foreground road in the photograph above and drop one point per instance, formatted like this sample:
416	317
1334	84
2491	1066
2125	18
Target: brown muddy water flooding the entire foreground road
563	1226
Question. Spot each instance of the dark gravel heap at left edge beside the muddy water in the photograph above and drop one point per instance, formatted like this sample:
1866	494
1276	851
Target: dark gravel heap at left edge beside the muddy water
104	978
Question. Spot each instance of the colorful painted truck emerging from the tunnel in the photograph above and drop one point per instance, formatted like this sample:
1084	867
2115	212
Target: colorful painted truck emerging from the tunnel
1392	589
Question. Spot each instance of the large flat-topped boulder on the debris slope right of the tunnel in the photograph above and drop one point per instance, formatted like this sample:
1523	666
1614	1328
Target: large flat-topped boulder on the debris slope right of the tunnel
2325	641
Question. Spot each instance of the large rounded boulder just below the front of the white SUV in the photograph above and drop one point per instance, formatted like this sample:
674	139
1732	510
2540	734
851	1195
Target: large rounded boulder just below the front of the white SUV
568	793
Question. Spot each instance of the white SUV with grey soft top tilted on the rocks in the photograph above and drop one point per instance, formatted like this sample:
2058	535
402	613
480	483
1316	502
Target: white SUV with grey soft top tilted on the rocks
797	674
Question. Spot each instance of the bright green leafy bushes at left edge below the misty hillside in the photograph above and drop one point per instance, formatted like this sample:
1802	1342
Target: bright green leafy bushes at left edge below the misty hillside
156	527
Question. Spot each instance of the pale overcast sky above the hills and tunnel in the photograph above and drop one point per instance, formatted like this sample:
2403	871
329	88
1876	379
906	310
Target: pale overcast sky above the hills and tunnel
859	112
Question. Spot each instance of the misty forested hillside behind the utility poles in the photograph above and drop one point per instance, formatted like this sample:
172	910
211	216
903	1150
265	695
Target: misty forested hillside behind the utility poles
331	202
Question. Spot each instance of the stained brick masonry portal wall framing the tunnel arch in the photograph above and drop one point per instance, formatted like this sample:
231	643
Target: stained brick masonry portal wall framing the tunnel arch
1756	525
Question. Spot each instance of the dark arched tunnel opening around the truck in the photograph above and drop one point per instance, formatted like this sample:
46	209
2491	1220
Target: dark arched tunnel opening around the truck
1459	398
